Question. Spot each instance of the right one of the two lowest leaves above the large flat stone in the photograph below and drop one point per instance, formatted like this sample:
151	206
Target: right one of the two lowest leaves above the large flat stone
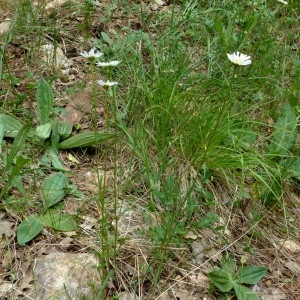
60	221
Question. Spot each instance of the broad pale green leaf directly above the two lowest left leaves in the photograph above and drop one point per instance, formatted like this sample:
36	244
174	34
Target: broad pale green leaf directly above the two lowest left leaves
52	190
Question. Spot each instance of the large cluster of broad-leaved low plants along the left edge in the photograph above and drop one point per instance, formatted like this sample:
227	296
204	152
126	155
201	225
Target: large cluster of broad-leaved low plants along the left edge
51	135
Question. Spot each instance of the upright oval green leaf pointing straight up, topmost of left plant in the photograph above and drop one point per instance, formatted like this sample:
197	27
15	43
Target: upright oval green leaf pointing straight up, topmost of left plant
44	99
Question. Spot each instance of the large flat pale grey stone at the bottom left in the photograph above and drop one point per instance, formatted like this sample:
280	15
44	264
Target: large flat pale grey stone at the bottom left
59	274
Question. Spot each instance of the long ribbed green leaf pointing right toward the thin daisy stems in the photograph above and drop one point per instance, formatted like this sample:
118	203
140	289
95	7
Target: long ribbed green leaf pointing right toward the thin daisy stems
85	139
